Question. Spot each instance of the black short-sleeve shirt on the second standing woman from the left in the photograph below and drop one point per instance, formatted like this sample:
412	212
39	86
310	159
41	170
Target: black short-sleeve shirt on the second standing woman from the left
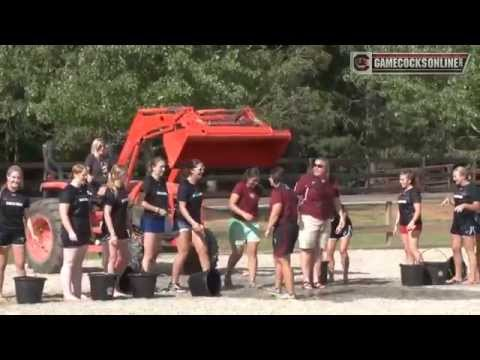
79	210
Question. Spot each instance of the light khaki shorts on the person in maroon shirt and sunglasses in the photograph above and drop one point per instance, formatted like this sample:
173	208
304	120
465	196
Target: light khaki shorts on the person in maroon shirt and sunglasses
313	232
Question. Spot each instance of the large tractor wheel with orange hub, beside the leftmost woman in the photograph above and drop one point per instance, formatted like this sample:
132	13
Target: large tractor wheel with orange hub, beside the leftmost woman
46	255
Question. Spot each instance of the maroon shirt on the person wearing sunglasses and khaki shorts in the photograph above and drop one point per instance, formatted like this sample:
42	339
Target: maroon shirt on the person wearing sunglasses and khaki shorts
317	197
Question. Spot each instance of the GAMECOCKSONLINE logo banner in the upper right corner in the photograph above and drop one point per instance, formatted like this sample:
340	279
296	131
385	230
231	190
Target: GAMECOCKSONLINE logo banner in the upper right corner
368	63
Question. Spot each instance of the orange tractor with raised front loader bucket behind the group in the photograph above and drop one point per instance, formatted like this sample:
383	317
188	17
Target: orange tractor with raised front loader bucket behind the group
222	139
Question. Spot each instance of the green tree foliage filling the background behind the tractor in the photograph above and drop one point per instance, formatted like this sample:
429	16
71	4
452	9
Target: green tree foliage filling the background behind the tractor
73	93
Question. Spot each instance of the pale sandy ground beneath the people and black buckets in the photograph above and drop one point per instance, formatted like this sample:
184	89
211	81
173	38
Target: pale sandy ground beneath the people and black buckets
374	289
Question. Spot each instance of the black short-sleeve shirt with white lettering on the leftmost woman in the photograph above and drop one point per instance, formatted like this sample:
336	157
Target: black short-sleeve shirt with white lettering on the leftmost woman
12	209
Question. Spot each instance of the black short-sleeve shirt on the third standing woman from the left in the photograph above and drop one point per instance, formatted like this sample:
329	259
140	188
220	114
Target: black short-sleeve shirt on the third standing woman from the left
119	203
